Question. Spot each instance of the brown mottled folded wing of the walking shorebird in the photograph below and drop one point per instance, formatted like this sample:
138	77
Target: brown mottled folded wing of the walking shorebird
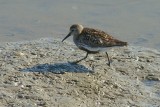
98	38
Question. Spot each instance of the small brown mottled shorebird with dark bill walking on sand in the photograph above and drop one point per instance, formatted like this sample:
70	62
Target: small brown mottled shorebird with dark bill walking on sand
92	40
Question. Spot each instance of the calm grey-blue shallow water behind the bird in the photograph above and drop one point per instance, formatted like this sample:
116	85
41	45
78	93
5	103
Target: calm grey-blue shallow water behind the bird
130	20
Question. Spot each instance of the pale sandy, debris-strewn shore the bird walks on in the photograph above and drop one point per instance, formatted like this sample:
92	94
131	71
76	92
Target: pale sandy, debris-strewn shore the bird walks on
37	73
